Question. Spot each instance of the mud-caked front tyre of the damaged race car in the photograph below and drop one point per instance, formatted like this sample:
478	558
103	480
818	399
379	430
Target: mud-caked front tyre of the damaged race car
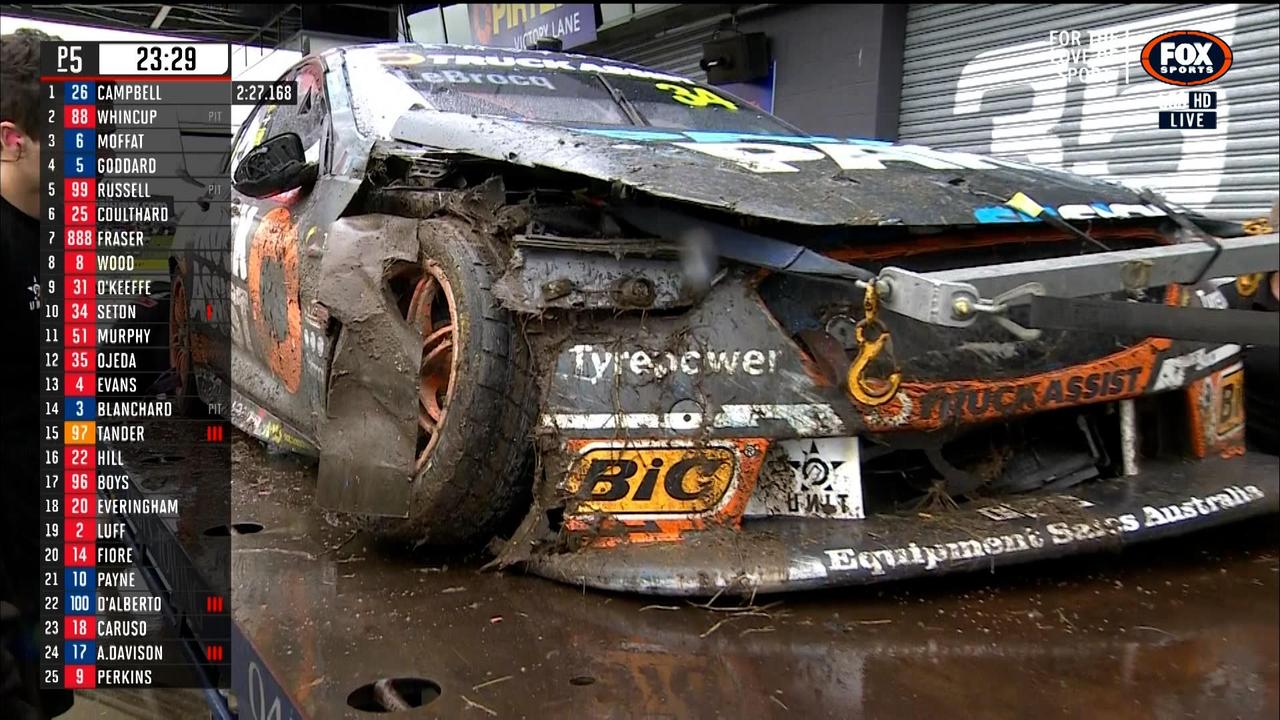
478	397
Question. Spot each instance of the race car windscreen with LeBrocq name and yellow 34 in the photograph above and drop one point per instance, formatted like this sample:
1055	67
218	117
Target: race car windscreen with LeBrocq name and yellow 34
568	90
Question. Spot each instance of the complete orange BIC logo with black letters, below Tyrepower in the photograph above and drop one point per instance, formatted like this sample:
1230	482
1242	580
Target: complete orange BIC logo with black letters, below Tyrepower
661	481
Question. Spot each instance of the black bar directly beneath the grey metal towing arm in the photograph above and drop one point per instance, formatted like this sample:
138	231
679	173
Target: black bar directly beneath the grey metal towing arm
1204	325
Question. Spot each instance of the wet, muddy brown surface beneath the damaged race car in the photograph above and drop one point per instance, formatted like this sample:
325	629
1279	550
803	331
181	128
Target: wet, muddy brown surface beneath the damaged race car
1186	628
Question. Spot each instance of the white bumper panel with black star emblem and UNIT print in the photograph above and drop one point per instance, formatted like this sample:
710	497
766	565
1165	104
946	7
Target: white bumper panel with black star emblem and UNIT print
815	479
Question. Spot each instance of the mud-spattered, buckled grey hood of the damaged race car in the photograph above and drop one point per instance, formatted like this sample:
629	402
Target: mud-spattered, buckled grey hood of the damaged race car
816	181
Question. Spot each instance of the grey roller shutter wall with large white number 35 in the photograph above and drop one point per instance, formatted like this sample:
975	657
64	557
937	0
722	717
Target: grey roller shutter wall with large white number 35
984	79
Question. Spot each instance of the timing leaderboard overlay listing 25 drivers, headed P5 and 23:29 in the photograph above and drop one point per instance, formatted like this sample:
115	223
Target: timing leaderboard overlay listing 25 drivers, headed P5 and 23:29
136	472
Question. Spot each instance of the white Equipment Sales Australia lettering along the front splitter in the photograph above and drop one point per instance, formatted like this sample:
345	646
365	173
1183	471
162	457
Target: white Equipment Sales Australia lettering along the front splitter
1054	535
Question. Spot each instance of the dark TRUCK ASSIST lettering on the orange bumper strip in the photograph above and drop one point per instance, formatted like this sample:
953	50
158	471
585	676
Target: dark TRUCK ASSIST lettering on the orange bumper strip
1032	397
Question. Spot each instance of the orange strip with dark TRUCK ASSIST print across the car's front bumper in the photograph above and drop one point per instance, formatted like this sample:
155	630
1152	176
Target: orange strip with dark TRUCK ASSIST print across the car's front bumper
934	405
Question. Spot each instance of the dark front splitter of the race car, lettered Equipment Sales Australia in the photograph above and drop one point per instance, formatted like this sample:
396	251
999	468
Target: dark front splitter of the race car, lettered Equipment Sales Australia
788	554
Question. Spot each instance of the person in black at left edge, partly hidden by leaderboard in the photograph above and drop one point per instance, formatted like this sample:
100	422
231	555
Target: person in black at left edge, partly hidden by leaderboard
20	377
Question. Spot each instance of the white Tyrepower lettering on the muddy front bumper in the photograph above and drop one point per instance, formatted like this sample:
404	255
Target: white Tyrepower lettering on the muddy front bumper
593	363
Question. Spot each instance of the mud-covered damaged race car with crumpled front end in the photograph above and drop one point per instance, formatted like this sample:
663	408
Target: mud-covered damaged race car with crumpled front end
671	344
